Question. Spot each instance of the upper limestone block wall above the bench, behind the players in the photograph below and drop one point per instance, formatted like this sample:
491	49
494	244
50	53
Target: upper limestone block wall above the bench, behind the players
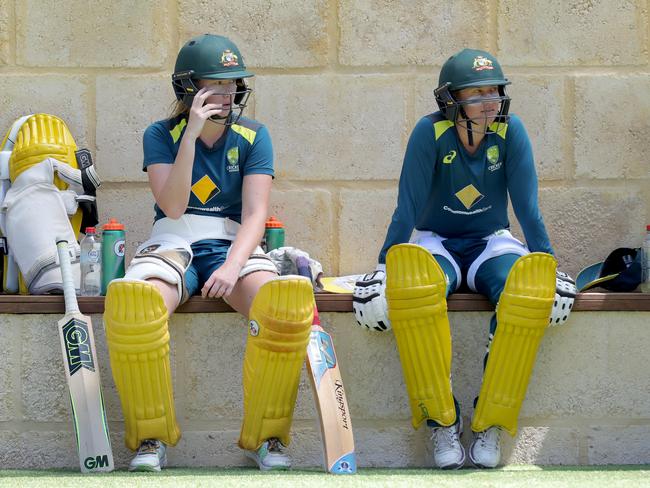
340	84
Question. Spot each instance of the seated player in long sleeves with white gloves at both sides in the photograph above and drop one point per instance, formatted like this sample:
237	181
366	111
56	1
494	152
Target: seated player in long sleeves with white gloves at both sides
451	227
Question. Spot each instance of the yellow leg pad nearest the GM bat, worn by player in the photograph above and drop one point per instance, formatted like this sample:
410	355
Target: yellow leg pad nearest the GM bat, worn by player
138	343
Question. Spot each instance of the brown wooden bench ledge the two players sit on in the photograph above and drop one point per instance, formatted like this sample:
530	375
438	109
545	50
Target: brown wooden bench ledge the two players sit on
326	302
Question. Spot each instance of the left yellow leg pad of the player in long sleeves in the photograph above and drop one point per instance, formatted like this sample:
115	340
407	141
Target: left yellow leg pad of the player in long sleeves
417	309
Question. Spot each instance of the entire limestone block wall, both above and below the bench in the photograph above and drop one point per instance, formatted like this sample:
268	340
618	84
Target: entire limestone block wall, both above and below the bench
340	84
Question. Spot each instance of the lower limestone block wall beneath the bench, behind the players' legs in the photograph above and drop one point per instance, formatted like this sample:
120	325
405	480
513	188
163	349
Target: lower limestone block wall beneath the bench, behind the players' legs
587	402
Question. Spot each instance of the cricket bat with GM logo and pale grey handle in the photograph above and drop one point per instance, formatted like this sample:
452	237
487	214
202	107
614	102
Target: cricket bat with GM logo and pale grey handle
82	373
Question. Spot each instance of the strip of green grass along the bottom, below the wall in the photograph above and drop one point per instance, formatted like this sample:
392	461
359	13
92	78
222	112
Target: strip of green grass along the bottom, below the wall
511	476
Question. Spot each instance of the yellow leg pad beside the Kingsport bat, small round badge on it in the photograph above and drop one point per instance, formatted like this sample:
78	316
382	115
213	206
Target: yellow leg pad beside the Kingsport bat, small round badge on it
280	322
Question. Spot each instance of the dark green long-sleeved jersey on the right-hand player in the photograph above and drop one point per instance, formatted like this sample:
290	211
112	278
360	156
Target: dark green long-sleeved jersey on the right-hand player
446	190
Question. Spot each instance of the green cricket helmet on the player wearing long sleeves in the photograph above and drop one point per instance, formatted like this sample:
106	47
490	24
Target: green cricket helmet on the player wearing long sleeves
470	68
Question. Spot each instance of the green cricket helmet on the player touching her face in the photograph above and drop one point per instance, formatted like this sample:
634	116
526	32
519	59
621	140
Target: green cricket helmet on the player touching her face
211	57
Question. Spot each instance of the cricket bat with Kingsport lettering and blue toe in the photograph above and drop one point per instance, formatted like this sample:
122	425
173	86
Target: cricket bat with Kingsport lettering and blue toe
329	395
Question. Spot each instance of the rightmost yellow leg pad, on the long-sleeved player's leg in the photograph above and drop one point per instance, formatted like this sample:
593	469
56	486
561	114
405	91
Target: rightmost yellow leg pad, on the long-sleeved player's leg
522	318
